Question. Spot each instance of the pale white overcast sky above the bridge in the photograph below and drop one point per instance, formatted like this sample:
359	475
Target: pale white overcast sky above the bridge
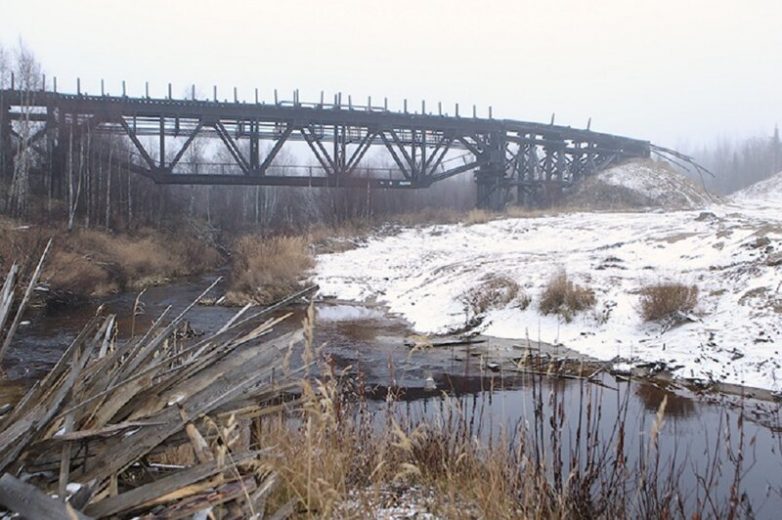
678	72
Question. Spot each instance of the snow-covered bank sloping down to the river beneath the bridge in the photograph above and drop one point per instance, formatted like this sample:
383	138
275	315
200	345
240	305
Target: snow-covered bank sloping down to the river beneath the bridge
731	251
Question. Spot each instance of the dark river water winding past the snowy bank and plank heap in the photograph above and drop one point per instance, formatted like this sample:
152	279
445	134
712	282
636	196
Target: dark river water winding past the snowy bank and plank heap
432	382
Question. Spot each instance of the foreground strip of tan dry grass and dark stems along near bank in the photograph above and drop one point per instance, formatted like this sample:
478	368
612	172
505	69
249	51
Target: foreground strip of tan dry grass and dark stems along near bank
339	460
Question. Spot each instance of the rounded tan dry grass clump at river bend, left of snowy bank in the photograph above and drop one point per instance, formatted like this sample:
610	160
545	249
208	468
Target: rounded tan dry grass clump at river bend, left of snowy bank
264	270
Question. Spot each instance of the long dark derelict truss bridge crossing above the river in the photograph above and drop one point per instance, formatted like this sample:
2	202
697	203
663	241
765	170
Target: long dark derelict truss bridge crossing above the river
510	159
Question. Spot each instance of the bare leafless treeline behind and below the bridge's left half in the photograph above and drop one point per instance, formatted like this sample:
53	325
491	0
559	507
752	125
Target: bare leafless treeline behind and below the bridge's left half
94	190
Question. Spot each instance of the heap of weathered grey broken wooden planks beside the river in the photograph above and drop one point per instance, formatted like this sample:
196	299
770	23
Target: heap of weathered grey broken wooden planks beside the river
92	428
